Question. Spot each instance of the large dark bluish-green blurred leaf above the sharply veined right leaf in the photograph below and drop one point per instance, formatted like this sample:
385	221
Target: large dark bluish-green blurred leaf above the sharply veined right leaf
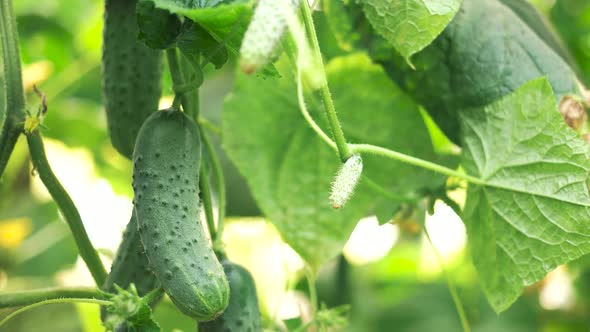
485	53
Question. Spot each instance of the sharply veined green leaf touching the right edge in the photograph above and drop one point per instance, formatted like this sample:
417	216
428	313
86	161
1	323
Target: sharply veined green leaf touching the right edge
533	212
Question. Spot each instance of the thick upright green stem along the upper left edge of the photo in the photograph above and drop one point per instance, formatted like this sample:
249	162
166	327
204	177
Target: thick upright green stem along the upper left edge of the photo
13	85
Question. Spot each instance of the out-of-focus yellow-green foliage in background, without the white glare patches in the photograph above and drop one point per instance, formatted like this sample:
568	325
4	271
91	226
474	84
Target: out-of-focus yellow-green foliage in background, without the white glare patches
60	45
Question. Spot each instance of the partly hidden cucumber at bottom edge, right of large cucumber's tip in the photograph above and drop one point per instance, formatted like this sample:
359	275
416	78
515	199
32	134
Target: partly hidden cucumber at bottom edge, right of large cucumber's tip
242	313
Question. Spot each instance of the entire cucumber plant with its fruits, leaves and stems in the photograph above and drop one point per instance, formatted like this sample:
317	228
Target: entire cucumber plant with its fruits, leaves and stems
503	110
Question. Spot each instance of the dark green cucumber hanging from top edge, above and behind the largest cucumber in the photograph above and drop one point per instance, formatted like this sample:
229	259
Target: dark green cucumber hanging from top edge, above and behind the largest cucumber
131	75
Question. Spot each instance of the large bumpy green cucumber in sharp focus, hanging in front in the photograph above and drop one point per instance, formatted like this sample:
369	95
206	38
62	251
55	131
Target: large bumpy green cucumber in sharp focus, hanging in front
166	165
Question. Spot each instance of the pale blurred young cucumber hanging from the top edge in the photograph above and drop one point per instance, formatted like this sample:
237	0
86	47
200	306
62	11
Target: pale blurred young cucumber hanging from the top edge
267	27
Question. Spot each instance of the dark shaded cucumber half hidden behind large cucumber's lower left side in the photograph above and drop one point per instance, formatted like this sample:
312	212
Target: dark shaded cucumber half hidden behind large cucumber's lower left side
130	265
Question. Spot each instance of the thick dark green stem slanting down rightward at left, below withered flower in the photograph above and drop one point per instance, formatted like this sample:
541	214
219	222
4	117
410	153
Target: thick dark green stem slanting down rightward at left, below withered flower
67	207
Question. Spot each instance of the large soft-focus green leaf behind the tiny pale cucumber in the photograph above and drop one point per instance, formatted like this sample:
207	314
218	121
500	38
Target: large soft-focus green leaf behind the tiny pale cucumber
289	169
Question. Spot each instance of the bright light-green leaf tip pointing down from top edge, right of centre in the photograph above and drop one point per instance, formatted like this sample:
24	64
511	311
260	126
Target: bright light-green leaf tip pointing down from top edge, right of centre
410	25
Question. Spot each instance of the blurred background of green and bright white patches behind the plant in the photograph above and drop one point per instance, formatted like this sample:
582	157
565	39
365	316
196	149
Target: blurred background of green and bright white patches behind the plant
390	274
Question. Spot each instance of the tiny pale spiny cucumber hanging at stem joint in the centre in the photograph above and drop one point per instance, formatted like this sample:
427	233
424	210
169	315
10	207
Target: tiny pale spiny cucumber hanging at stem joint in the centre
346	181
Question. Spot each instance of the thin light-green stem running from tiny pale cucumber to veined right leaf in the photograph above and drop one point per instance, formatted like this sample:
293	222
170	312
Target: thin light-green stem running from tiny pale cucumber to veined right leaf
383	152
